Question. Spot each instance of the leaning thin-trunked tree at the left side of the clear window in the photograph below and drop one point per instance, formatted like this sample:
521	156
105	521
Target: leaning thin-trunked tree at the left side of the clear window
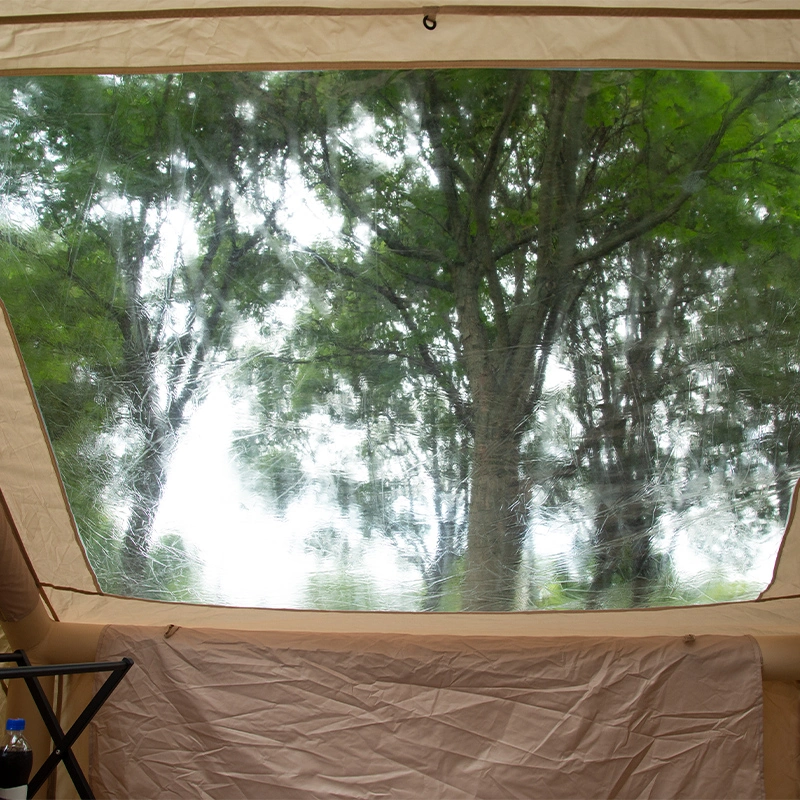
122	156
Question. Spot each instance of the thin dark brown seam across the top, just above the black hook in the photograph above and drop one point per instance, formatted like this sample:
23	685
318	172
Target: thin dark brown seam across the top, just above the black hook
468	10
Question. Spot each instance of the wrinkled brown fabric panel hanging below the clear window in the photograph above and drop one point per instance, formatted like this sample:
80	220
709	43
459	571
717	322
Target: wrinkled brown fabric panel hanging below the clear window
212	714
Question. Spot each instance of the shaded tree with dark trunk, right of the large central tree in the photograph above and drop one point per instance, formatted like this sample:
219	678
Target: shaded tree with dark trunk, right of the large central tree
664	348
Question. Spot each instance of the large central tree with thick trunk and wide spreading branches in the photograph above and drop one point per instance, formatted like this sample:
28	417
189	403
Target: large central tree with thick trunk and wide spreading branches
523	186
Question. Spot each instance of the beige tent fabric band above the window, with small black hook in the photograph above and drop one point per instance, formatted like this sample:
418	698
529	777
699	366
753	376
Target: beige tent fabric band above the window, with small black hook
87	36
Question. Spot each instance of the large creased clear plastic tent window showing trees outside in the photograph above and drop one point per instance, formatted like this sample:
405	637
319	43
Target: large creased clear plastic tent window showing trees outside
422	340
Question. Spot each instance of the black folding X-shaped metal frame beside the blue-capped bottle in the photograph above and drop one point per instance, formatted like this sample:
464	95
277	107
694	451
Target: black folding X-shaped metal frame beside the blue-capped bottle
62	742
